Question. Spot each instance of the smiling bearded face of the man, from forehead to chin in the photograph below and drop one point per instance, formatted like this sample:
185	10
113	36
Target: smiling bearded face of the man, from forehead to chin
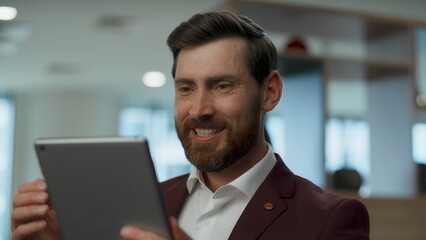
217	103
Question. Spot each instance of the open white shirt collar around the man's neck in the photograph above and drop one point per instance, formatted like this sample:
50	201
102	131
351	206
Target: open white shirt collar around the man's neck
248	182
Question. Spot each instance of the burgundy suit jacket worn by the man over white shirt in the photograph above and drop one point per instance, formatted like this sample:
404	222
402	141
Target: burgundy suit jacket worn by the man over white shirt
286	206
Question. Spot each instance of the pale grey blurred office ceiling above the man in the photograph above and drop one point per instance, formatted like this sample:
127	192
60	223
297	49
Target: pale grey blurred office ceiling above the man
107	45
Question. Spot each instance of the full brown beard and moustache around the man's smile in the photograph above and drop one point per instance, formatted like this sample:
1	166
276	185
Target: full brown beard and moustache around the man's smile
215	156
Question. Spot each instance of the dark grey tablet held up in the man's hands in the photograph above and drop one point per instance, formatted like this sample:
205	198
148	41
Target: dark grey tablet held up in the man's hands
99	185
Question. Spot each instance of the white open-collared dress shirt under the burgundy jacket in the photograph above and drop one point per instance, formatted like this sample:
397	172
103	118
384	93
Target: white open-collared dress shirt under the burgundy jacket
207	215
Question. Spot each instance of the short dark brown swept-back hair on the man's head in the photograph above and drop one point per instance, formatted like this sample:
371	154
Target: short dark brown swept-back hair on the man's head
206	27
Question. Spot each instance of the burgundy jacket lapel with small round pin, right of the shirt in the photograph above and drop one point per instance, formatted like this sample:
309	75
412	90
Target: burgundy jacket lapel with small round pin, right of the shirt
266	204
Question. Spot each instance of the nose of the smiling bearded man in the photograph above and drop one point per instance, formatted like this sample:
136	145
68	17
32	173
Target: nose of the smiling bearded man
202	106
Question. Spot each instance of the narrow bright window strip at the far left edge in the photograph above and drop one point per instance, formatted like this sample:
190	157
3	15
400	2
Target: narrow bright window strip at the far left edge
6	150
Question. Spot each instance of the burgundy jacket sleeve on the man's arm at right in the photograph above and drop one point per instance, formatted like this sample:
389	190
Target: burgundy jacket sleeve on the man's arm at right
348	221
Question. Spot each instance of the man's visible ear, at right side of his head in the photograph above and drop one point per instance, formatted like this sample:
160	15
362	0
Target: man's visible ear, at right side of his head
272	90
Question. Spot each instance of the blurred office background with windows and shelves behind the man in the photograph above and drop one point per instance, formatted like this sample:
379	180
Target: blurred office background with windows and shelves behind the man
352	118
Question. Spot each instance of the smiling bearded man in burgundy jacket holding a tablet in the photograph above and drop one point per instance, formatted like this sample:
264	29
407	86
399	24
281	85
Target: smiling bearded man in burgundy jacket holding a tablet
225	82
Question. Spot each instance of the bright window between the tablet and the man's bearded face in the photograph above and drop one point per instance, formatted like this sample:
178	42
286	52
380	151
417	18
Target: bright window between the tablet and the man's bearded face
157	125
